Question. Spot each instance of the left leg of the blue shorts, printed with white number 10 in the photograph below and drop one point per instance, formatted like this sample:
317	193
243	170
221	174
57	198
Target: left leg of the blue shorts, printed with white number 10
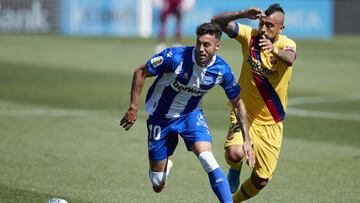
162	141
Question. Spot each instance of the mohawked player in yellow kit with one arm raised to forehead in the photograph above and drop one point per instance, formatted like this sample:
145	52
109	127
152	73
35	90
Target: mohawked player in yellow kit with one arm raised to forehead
268	58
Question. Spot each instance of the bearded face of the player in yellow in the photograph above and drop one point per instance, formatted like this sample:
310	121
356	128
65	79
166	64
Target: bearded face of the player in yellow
271	26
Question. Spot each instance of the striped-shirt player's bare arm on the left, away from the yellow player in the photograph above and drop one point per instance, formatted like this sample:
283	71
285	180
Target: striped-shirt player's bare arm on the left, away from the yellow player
137	85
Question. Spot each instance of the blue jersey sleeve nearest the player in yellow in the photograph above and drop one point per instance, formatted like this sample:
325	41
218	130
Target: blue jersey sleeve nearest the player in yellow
230	85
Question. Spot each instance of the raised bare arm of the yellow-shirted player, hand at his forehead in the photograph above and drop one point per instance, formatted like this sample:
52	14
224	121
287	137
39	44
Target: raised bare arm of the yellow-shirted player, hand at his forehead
225	20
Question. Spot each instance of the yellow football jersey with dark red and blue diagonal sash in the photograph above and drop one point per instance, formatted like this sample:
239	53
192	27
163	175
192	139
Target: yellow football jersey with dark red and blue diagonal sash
264	78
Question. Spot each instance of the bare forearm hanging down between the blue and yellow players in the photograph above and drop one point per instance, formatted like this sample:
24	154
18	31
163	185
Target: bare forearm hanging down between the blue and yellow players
241	116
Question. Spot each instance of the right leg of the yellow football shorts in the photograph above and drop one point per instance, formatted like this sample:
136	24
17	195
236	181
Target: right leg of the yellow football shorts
266	145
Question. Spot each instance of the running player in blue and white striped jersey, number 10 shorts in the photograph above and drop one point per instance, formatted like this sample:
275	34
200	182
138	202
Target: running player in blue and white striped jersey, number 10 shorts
183	76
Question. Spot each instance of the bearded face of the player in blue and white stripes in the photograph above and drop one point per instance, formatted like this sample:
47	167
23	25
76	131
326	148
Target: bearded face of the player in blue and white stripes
206	46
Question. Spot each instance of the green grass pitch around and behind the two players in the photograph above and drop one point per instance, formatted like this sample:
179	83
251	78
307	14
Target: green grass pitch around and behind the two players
61	99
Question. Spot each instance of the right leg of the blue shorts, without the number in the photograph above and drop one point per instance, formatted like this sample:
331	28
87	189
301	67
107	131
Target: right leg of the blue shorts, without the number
193	128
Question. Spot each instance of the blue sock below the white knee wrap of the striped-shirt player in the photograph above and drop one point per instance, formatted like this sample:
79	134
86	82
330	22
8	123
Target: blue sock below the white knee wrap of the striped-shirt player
220	185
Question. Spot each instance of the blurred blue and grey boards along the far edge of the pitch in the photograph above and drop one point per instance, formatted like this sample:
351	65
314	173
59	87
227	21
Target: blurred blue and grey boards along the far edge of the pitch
133	18
